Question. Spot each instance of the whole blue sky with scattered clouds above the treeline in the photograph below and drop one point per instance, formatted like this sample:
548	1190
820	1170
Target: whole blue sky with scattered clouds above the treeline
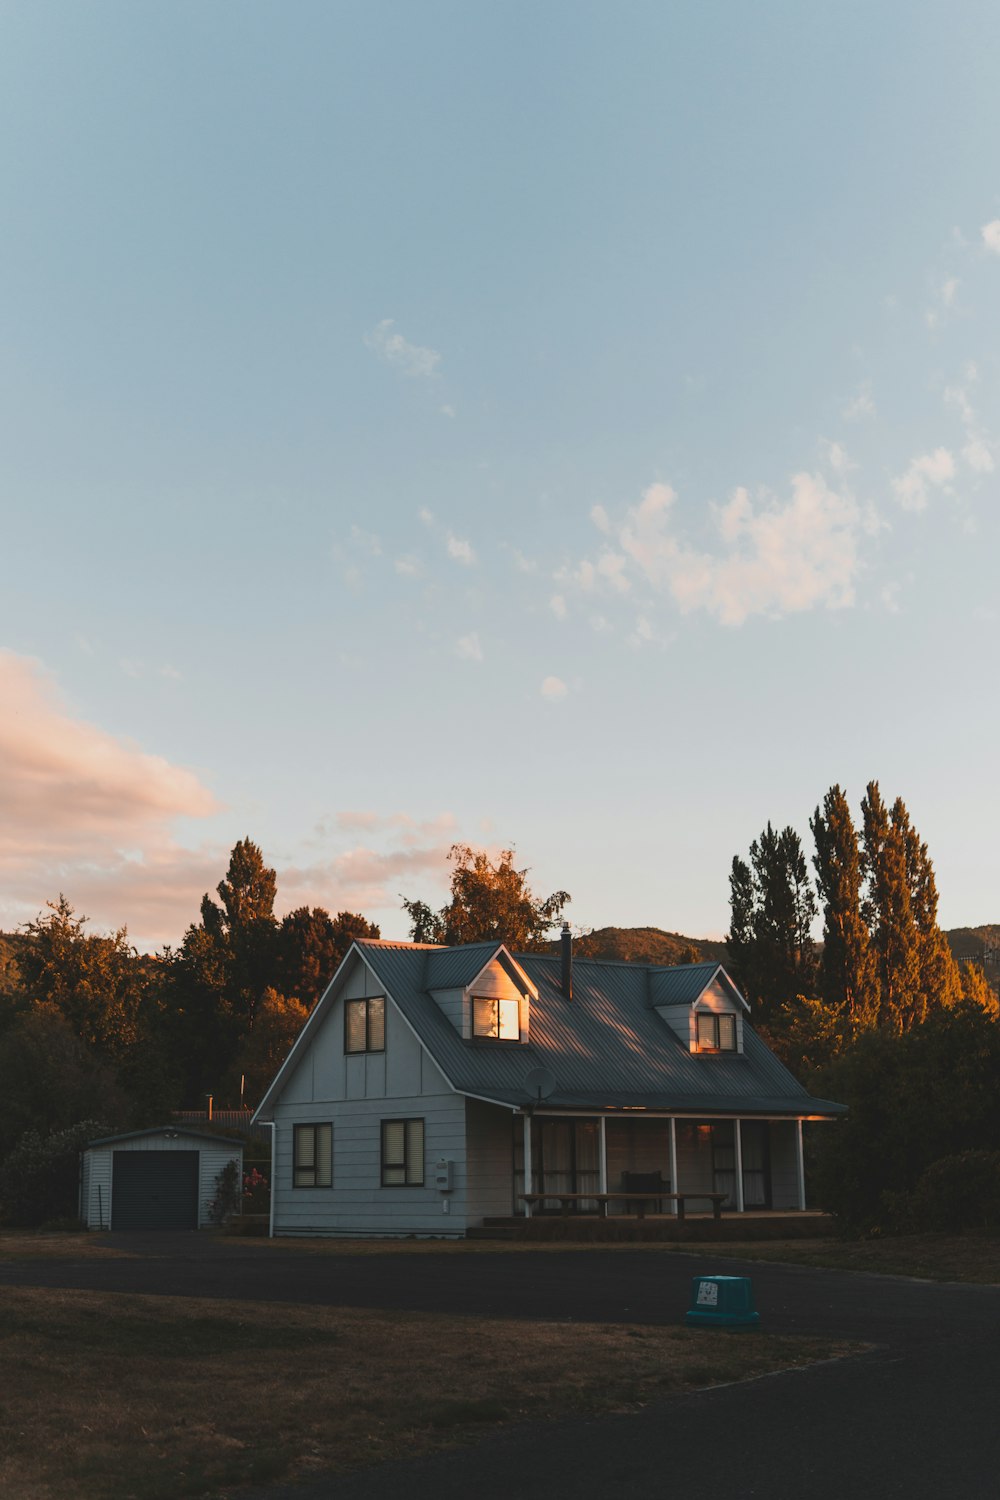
572	428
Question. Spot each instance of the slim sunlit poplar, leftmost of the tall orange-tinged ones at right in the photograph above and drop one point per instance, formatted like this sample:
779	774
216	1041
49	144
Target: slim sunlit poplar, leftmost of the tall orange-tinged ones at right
848	973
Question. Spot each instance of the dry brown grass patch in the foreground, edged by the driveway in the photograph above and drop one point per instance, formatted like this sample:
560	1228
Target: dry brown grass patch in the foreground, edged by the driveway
110	1397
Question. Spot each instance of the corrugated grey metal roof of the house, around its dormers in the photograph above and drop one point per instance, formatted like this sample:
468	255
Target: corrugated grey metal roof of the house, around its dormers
606	1048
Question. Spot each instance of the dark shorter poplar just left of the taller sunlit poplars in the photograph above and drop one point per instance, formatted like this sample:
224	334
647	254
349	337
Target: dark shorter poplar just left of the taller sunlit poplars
773	910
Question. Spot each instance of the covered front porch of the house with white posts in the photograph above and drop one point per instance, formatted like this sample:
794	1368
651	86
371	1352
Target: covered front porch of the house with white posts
752	1165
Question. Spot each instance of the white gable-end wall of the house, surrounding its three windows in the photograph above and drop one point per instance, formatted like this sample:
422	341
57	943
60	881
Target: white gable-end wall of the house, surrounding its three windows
400	1084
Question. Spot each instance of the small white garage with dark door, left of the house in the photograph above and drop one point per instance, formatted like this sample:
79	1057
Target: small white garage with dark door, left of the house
149	1180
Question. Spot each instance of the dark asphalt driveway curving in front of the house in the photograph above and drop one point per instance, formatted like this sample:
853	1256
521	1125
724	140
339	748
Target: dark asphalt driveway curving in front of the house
917	1418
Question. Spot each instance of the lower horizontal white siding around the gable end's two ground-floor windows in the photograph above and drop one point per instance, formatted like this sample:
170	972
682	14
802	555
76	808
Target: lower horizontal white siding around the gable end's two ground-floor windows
358	1204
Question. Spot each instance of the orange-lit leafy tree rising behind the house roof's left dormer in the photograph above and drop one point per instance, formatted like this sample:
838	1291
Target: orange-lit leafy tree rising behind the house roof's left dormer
491	901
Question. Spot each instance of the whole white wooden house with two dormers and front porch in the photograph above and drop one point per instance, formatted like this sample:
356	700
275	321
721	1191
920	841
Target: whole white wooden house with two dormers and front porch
427	1079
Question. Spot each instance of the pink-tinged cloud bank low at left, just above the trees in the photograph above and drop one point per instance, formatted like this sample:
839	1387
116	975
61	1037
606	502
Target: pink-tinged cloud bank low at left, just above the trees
92	815
